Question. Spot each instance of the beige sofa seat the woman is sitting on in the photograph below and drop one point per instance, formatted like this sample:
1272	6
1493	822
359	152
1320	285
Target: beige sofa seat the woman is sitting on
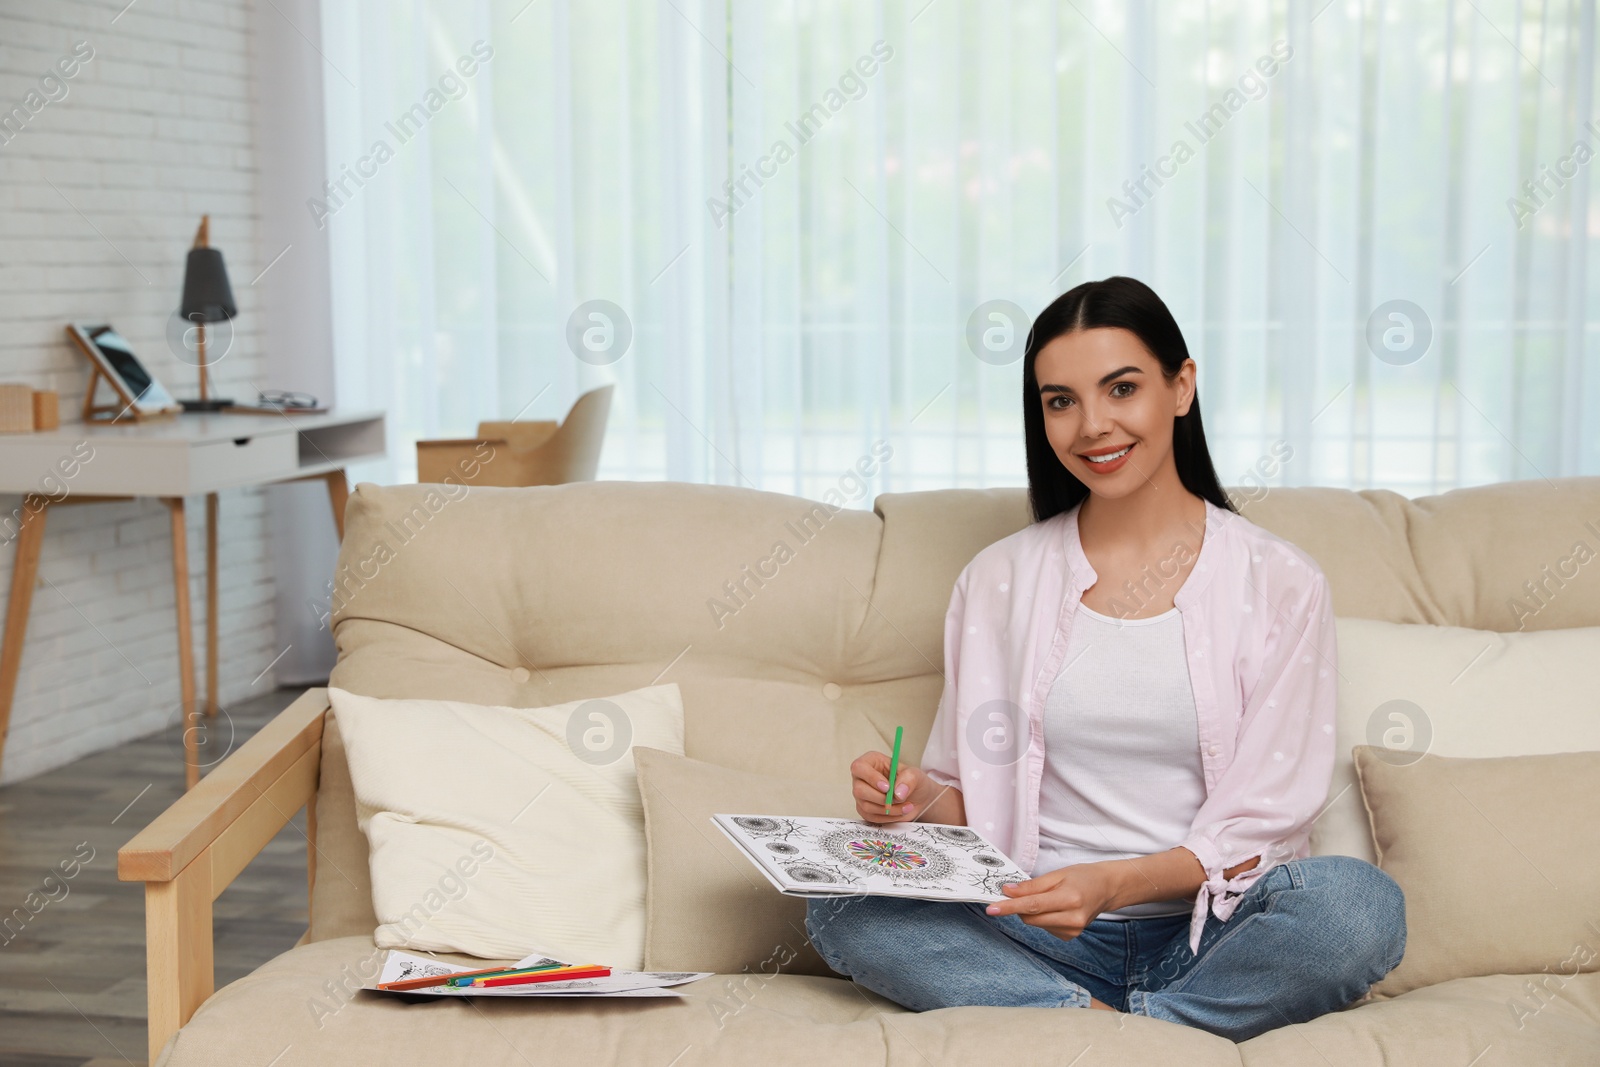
310	1001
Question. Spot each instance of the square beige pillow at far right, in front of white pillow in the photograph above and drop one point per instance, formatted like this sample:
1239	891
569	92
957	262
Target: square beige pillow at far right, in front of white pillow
1498	860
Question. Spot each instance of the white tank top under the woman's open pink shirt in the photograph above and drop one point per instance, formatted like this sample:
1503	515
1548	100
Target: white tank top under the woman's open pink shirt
1122	749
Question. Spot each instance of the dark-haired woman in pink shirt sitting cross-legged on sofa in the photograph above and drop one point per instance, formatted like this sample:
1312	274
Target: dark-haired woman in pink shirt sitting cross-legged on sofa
1138	709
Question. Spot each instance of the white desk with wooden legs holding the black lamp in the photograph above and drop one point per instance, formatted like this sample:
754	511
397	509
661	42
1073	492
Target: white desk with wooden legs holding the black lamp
170	460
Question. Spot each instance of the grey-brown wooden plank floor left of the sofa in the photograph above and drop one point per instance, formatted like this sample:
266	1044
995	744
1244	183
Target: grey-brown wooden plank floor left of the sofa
73	975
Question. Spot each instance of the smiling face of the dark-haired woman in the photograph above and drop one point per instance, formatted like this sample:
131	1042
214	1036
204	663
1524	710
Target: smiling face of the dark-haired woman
1105	396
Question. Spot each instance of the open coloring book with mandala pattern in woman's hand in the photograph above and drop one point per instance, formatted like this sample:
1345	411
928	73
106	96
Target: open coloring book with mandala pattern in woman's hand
820	858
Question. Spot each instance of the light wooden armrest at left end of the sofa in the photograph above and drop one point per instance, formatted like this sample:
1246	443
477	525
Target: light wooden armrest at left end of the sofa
198	847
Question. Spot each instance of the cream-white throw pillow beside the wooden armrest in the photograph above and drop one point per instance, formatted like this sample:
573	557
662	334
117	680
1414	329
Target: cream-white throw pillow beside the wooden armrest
508	831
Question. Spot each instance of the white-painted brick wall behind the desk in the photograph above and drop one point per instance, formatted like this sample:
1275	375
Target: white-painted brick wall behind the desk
154	132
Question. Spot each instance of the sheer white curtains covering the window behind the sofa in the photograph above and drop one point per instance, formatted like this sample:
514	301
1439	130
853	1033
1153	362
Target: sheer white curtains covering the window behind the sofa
1372	222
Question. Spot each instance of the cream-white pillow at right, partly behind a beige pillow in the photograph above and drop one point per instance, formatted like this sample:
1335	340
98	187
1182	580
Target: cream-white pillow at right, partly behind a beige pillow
1454	692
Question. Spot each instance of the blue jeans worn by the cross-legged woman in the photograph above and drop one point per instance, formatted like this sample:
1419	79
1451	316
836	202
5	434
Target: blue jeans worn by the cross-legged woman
1308	938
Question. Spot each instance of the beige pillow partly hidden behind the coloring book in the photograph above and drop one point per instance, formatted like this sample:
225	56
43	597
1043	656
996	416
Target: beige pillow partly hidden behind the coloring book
710	908
